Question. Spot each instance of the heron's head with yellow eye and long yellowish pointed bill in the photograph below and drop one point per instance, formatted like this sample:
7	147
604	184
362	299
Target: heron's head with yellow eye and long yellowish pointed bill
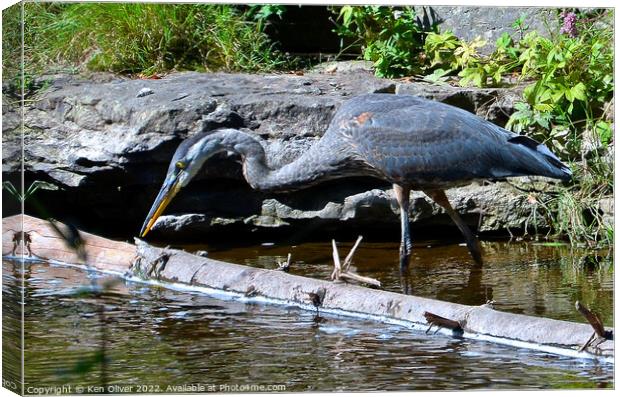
185	164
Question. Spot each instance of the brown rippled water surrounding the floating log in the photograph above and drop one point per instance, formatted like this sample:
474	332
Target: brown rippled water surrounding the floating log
161	338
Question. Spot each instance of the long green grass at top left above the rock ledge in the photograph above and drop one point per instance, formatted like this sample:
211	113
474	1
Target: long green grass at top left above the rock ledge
144	38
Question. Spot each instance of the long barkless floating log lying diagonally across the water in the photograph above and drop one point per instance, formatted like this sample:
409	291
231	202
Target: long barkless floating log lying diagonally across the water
179	269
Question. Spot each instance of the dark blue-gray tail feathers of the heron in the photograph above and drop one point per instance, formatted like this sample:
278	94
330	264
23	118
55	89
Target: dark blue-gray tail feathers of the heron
533	158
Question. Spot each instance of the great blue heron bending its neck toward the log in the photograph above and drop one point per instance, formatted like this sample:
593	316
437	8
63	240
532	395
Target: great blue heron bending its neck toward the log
411	142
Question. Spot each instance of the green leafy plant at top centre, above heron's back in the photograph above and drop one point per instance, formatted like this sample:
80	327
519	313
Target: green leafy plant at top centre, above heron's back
390	37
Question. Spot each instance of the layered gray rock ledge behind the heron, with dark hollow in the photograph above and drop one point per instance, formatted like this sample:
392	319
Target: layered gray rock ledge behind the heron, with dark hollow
106	147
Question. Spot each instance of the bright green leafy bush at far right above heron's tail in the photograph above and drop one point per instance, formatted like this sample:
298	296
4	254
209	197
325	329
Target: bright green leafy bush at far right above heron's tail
573	82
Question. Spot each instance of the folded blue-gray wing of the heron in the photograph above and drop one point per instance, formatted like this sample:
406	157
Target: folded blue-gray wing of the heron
424	143
